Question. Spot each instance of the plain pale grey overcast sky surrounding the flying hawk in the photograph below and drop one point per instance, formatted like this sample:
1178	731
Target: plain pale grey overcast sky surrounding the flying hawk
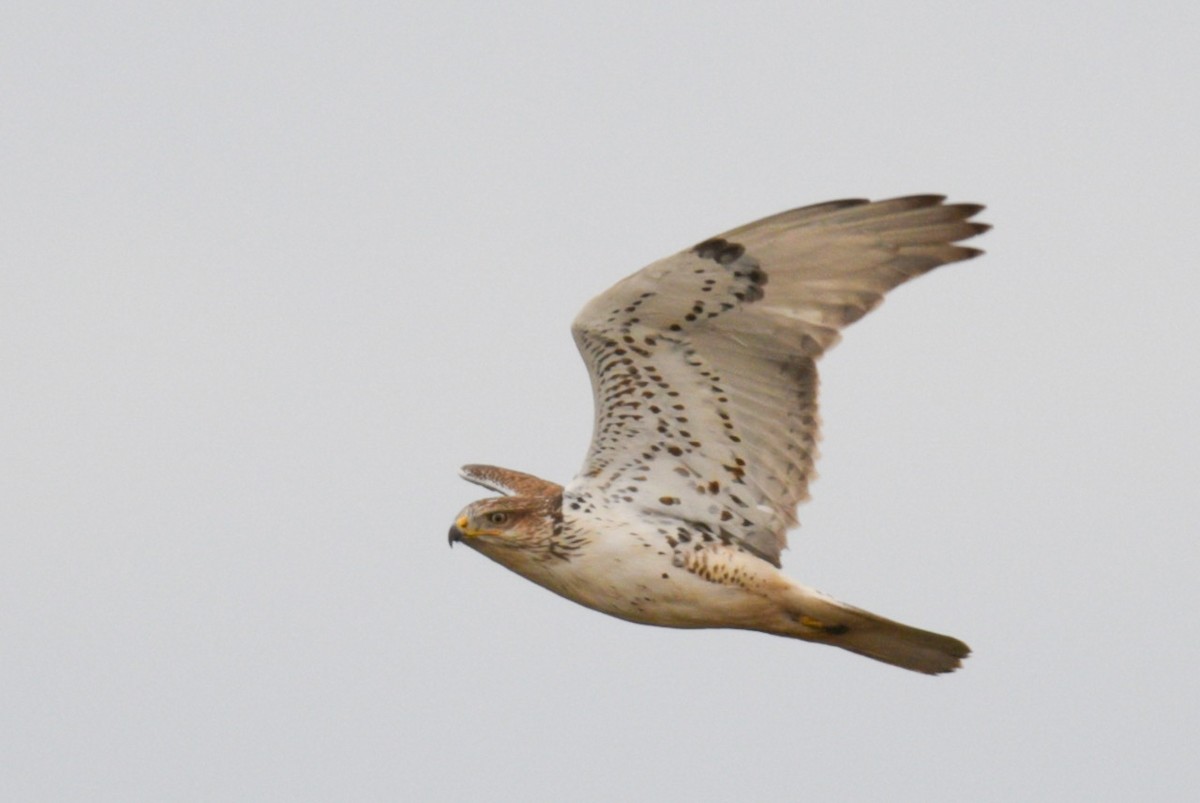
271	273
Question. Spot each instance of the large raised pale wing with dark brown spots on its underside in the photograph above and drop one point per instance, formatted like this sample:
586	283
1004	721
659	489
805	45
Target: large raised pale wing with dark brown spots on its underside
704	364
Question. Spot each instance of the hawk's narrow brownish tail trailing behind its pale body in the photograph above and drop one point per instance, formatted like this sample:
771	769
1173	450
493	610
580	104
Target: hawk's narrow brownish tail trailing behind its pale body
825	620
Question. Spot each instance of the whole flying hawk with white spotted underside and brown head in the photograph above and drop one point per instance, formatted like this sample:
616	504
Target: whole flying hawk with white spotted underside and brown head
704	369
